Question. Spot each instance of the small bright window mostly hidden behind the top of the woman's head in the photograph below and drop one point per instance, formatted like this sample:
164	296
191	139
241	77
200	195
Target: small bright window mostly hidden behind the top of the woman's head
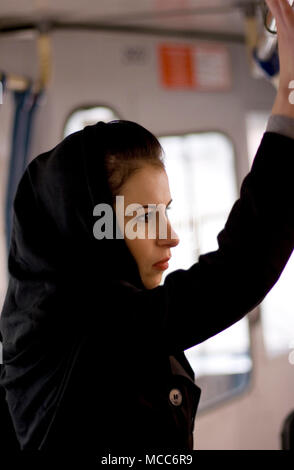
87	116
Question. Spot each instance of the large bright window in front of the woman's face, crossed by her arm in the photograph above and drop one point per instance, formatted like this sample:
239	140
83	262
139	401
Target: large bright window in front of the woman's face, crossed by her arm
202	179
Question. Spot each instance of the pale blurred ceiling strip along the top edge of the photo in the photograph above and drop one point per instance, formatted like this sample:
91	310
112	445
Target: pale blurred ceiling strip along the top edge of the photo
224	16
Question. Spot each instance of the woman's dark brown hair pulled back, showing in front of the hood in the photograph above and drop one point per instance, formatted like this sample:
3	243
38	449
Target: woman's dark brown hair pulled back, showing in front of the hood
129	147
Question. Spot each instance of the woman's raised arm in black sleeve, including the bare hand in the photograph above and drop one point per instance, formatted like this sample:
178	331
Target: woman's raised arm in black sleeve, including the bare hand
254	246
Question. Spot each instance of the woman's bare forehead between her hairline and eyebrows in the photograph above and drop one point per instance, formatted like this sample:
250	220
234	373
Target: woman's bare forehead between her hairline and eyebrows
148	185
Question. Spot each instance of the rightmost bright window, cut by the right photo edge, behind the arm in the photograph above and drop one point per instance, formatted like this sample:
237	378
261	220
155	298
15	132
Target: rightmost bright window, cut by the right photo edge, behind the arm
278	306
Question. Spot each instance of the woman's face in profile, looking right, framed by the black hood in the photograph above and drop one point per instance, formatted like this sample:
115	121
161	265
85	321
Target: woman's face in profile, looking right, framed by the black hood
149	185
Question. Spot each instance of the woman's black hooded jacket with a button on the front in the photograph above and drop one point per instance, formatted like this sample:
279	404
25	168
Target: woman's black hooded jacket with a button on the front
93	360
